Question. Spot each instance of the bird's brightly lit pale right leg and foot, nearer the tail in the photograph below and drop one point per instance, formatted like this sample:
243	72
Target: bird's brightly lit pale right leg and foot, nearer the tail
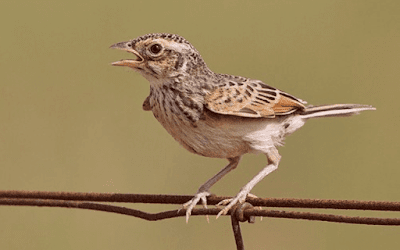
273	161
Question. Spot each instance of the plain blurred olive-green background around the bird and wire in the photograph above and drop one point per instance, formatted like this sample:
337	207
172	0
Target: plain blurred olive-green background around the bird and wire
71	122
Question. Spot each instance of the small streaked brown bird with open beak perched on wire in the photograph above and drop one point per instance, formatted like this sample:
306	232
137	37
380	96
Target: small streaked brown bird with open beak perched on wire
218	115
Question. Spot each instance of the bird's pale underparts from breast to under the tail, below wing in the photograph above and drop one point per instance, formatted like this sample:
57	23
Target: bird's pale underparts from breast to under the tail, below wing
226	136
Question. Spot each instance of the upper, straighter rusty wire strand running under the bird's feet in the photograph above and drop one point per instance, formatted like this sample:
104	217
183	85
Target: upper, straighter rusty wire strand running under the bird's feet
211	200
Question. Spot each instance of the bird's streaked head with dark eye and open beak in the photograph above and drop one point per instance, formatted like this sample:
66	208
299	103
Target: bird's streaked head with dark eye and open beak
161	56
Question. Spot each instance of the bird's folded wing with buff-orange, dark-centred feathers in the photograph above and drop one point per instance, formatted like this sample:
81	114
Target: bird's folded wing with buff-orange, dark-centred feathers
251	98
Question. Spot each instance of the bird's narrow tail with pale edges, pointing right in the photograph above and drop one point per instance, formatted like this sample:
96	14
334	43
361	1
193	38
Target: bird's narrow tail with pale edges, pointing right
338	110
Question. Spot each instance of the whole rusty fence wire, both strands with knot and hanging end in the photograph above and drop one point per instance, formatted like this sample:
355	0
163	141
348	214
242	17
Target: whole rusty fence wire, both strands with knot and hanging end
240	213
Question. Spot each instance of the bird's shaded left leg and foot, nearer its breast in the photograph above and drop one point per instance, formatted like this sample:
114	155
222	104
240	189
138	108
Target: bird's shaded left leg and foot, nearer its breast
203	191
